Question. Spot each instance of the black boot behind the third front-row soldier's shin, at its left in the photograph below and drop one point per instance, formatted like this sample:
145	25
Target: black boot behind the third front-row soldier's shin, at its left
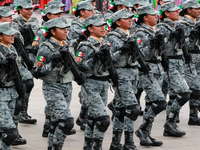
82	119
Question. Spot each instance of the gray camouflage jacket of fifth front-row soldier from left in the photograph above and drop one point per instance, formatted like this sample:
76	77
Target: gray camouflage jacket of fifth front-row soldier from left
144	34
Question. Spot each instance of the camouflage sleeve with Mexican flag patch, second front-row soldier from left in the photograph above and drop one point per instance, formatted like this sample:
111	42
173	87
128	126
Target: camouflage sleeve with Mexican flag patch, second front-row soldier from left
43	59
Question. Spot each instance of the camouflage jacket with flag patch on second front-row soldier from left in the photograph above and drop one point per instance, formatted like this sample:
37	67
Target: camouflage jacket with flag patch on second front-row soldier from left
47	50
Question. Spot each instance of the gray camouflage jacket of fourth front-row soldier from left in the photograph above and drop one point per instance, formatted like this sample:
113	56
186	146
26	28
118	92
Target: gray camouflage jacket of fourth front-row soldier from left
118	38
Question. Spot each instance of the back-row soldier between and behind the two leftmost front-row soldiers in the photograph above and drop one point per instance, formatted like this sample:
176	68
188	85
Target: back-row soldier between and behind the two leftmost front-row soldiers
25	8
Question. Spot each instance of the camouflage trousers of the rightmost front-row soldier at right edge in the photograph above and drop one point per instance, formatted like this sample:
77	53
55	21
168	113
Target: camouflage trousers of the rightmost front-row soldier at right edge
193	82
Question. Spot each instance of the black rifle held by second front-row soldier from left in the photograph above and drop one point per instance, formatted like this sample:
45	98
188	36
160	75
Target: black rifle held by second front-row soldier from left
69	64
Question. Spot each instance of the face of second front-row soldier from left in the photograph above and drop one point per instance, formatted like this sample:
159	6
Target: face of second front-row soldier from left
60	34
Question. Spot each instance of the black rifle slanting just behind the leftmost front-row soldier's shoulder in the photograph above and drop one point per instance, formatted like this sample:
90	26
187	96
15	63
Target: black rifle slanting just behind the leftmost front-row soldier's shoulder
22	52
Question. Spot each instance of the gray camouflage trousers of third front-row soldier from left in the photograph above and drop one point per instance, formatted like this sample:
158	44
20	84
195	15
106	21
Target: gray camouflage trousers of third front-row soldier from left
95	99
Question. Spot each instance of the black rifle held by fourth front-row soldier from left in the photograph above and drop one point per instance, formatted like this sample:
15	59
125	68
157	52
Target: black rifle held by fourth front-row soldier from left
137	56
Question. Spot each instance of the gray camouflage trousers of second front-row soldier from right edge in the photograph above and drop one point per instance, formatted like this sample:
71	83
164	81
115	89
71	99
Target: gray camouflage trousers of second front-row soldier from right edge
175	82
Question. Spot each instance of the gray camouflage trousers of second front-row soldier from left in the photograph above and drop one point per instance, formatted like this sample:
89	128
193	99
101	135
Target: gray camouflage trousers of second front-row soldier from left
57	97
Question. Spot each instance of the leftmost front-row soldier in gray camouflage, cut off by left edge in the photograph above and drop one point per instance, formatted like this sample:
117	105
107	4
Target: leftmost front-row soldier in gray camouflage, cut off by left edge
9	95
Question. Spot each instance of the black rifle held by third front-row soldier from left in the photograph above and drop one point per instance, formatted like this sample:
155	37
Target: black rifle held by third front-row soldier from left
108	66
